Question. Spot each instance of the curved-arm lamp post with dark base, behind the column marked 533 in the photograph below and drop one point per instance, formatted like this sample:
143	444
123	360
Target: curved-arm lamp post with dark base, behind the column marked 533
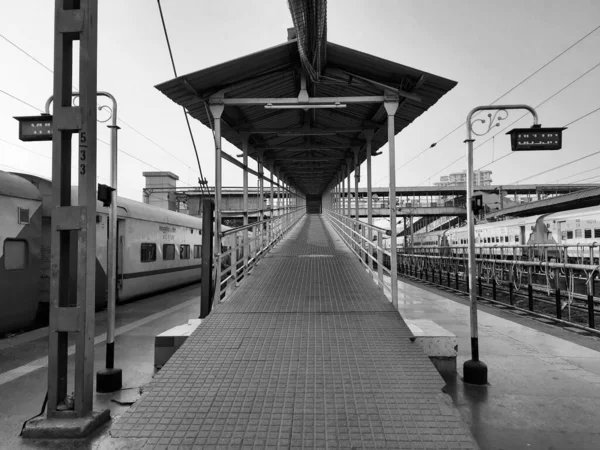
110	379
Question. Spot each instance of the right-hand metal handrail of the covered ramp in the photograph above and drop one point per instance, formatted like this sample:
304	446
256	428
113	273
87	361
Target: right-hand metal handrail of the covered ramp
366	242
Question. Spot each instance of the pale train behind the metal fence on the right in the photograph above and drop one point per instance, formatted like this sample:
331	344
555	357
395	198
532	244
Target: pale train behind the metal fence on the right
572	234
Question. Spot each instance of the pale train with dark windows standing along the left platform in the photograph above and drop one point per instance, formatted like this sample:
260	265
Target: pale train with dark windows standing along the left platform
157	249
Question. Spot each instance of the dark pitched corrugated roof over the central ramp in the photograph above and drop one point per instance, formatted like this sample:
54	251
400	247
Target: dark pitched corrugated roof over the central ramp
264	92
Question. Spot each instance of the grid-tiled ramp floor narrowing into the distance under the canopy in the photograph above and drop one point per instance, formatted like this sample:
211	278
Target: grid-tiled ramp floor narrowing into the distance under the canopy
306	353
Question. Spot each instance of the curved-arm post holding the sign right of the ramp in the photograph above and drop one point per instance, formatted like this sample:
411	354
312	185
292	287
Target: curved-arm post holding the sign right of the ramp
474	370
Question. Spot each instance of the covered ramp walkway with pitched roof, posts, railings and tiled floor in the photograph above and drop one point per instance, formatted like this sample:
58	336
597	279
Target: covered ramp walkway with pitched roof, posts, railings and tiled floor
303	349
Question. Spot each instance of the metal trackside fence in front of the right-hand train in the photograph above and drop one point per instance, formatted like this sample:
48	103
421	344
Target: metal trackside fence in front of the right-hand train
561	276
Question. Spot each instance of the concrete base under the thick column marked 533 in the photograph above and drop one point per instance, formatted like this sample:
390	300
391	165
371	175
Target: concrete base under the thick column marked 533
65	428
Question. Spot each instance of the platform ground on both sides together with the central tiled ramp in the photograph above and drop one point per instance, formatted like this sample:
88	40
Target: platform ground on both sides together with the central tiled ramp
325	368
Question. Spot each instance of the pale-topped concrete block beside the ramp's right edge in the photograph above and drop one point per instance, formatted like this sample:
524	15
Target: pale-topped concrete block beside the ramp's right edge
438	343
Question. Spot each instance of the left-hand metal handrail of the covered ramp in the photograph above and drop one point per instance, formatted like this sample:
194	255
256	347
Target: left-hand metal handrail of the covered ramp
242	247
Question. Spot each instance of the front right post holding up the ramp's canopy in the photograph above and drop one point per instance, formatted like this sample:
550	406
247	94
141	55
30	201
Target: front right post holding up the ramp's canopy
391	108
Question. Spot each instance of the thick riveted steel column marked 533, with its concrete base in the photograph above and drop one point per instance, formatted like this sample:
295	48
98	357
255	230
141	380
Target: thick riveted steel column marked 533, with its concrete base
73	228
